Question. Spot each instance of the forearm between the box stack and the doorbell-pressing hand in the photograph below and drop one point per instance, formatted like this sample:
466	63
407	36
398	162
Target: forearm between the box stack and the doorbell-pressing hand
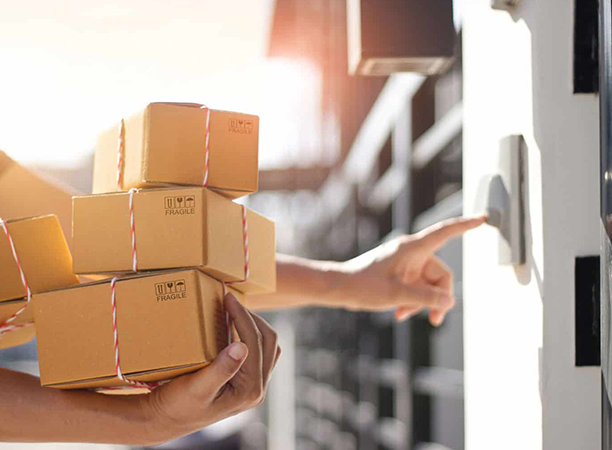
302	282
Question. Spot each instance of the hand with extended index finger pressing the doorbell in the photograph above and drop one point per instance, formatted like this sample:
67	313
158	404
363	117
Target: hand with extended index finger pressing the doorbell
404	274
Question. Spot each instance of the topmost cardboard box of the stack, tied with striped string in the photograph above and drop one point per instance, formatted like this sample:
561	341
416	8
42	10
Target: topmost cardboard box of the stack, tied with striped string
165	144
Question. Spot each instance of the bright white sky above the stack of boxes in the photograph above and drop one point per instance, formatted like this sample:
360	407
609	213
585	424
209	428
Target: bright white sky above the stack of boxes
70	68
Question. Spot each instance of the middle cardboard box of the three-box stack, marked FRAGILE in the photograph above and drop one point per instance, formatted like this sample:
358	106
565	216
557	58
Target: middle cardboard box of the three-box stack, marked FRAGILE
175	228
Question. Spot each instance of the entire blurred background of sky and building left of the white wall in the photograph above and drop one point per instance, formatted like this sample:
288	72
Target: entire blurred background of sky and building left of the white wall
346	162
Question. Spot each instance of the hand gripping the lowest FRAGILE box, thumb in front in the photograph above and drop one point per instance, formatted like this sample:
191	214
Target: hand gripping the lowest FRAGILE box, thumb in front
234	382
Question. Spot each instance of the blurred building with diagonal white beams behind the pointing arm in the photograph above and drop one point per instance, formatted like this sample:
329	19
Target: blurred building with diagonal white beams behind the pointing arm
363	381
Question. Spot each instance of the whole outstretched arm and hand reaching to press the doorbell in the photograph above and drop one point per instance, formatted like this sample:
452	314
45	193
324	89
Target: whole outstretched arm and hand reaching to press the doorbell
402	274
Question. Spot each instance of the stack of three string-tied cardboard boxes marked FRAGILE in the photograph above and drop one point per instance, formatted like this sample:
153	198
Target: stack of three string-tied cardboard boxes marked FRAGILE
162	230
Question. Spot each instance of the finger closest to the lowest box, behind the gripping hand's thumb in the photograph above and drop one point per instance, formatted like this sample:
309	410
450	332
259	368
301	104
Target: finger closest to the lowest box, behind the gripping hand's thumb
251	337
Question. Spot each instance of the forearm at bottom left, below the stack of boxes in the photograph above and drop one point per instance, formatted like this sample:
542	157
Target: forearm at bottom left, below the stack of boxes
31	413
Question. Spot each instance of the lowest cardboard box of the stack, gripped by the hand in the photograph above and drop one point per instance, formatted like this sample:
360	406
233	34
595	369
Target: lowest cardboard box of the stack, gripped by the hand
163	331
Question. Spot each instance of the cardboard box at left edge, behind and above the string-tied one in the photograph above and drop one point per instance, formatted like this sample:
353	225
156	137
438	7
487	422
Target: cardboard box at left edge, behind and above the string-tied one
25	193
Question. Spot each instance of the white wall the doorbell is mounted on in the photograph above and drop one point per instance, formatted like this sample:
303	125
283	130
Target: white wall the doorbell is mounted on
522	389
